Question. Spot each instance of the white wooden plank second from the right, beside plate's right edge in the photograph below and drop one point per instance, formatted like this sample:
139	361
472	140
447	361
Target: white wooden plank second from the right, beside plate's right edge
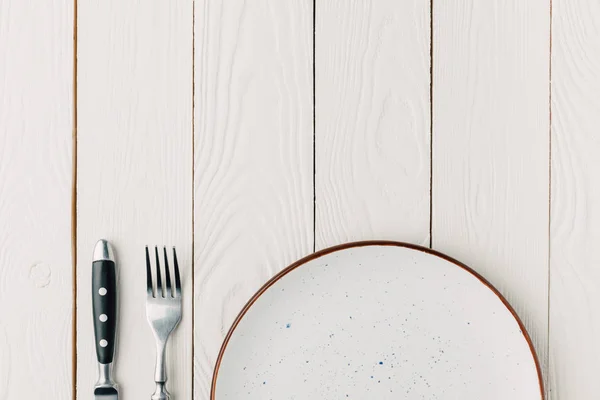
490	147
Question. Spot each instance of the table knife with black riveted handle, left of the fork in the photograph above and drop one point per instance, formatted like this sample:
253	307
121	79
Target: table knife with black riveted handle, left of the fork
104	301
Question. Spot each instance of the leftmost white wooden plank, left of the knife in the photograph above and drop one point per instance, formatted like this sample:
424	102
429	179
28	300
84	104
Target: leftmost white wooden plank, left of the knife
36	114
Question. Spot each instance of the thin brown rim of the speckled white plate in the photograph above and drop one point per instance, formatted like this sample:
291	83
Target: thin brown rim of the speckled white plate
365	243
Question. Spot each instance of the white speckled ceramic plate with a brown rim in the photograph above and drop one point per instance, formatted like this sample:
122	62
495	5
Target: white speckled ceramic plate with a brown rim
377	320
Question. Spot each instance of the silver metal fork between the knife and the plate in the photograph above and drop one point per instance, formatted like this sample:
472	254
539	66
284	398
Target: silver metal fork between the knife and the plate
163	310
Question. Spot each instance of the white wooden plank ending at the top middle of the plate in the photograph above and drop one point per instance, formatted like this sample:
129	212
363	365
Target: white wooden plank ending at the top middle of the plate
372	121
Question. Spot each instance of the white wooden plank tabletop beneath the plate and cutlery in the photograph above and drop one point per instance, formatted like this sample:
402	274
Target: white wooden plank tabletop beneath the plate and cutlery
250	133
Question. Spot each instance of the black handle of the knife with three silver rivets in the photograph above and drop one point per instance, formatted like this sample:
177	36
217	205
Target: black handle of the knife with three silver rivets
104	299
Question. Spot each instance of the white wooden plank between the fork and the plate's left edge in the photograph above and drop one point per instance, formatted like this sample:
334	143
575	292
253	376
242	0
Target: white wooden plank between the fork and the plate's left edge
253	209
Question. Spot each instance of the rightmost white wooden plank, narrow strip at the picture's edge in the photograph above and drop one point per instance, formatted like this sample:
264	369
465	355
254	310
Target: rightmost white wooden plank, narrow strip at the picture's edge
575	221
